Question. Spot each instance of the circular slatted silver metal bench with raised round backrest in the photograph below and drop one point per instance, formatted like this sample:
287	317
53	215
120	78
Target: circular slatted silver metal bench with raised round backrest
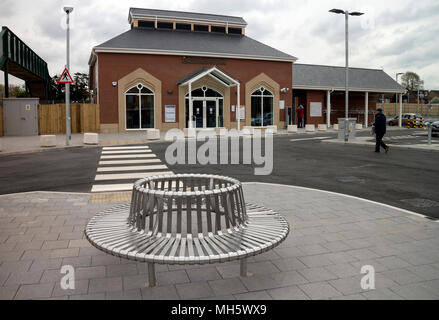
187	219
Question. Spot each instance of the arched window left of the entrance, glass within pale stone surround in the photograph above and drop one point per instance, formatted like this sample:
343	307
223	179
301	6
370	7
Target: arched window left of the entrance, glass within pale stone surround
139	108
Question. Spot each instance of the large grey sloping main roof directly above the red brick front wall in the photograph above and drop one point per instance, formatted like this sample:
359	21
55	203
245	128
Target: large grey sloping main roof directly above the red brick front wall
193	43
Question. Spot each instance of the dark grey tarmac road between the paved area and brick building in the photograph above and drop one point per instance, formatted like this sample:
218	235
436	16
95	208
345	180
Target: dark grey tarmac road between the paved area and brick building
404	178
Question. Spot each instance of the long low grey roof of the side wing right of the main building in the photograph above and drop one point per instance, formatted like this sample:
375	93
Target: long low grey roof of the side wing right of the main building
309	76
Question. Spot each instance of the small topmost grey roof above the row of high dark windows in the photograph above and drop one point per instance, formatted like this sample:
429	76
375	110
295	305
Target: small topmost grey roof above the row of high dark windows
192	16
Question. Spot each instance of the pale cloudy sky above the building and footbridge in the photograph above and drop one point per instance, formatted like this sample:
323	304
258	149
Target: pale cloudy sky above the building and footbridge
396	35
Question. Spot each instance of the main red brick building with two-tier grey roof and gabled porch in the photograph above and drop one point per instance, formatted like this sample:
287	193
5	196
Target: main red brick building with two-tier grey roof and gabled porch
173	67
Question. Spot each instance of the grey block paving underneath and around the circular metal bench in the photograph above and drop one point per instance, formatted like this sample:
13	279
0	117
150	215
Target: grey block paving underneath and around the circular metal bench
321	259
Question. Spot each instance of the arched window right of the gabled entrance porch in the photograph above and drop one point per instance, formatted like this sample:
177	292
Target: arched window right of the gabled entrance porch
262	101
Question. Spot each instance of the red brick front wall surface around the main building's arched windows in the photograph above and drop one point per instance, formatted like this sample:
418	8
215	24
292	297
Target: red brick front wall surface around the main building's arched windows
170	69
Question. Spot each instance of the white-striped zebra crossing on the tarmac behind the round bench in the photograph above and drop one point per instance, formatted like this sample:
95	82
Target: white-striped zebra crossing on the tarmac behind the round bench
120	167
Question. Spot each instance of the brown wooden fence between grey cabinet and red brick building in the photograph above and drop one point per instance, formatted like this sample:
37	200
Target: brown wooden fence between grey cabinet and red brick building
84	118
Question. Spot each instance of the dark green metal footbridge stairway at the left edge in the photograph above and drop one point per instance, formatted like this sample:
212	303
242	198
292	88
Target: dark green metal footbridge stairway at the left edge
17	59
